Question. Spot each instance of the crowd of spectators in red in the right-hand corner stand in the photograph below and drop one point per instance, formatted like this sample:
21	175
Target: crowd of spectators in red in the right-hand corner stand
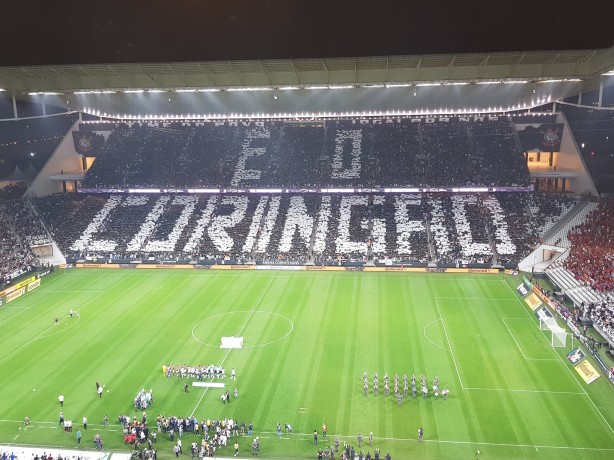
591	259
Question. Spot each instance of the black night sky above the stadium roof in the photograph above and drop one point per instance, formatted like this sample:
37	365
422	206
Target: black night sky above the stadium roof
43	32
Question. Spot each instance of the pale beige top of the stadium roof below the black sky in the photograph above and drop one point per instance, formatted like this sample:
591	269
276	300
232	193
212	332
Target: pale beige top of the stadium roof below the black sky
355	71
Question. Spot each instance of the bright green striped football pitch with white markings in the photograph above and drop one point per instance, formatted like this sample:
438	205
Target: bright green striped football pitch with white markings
308	338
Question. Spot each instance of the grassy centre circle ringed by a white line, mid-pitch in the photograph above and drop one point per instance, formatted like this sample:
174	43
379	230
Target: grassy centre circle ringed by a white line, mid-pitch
258	328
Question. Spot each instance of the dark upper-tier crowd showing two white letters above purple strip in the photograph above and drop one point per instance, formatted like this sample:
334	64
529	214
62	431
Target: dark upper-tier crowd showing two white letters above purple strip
335	153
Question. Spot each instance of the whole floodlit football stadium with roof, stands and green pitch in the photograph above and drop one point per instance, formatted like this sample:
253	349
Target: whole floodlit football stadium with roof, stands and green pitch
351	255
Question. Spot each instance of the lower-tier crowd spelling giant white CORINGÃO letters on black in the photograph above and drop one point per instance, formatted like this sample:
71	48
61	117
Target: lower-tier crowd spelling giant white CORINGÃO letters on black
295	228
